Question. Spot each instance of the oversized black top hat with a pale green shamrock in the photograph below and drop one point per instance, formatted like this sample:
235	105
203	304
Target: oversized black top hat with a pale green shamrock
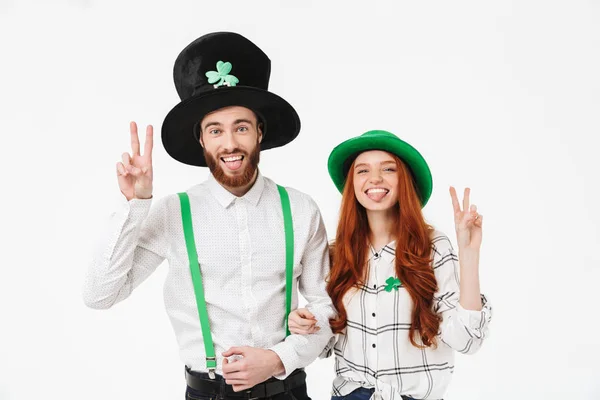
219	70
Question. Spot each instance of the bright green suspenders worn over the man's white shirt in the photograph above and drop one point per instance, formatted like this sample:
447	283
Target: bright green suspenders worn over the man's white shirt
186	216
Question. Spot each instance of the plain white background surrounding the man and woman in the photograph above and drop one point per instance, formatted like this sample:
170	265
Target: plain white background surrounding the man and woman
502	96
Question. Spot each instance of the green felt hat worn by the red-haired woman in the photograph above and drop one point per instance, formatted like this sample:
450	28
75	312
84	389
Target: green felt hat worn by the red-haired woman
345	153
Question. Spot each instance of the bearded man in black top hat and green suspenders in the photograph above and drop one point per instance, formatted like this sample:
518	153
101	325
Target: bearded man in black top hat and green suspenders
228	291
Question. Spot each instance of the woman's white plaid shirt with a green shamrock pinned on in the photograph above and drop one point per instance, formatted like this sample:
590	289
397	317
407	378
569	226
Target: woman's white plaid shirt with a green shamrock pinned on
374	351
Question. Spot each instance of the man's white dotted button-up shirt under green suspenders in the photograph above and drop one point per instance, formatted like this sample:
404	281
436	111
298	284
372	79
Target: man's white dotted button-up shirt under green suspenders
241	250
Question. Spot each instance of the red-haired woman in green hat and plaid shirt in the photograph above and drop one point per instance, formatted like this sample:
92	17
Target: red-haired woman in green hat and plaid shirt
395	280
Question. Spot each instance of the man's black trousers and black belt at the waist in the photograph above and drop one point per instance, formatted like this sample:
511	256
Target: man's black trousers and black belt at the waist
202	383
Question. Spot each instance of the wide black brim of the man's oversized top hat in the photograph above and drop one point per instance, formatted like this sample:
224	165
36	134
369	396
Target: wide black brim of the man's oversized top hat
281	122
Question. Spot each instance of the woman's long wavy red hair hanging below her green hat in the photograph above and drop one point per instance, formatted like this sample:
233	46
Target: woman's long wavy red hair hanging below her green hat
413	256
